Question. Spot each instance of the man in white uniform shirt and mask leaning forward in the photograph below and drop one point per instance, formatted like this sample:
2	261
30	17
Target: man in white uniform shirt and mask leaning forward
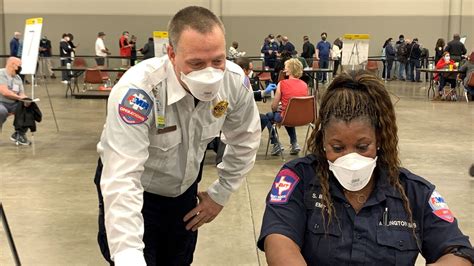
161	116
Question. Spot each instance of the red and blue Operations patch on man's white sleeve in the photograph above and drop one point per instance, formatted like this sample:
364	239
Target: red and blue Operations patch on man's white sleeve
135	107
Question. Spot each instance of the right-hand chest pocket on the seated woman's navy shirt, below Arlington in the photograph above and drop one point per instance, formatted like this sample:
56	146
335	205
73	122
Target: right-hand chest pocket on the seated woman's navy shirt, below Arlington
397	245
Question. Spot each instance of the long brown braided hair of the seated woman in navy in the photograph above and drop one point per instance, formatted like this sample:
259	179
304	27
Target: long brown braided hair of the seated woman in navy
351	96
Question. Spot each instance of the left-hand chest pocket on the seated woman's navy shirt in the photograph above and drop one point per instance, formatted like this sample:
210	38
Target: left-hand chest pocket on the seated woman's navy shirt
320	241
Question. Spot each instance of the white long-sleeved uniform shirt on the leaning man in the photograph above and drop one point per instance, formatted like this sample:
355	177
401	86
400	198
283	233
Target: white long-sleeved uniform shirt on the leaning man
136	158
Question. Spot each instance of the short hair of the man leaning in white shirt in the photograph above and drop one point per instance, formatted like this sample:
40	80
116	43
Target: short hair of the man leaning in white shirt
197	18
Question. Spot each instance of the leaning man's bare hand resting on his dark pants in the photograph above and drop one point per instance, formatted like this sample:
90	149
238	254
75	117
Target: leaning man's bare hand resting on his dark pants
205	212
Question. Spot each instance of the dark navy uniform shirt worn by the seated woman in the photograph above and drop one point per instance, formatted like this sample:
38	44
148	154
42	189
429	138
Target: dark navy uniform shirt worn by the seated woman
294	210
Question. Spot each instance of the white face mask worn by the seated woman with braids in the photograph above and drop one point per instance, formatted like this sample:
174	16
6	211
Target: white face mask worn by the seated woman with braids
353	171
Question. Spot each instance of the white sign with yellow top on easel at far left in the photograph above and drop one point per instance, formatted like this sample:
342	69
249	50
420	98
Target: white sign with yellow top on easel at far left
31	40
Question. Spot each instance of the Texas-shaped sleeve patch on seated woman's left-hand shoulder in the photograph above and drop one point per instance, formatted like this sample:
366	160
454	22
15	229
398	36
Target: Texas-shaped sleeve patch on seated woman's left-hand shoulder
283	186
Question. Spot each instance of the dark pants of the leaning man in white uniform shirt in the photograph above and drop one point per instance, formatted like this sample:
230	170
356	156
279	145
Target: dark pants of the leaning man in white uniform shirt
167	242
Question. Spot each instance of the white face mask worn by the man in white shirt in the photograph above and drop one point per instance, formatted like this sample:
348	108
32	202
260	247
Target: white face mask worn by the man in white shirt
204	84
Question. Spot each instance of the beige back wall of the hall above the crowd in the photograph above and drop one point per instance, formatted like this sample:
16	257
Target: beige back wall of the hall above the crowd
248	21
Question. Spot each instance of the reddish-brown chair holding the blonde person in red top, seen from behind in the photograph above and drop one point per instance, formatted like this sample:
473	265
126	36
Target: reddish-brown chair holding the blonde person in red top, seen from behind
301	111
